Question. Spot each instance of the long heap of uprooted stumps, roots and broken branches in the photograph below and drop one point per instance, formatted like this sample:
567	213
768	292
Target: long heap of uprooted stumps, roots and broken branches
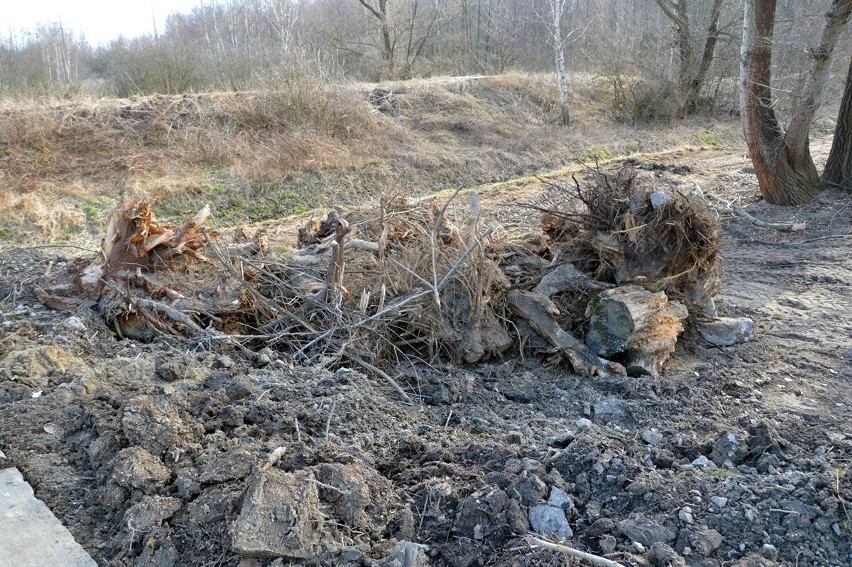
626	269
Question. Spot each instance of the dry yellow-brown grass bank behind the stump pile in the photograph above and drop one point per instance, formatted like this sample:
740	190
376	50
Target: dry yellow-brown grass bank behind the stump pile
262	155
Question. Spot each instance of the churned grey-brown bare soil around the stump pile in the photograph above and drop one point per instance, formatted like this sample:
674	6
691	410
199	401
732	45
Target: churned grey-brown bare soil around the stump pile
161	454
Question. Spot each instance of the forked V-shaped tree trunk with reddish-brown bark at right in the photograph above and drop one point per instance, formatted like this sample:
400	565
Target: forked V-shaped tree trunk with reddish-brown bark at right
782	161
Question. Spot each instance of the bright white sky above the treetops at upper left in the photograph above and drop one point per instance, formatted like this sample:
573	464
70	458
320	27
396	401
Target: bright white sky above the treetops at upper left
100	20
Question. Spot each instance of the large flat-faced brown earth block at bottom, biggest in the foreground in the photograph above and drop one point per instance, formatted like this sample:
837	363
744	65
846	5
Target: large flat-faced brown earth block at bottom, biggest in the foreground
280	516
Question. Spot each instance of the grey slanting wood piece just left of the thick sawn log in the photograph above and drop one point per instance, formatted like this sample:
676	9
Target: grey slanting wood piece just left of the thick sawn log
540	313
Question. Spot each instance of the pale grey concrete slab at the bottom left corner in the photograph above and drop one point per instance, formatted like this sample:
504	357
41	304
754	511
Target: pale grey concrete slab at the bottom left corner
30	535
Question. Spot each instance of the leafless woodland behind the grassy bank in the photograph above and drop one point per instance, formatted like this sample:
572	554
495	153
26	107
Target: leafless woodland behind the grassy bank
650	51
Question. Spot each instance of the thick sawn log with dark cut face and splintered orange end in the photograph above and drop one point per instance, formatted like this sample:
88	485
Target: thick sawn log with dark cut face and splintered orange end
634	322
